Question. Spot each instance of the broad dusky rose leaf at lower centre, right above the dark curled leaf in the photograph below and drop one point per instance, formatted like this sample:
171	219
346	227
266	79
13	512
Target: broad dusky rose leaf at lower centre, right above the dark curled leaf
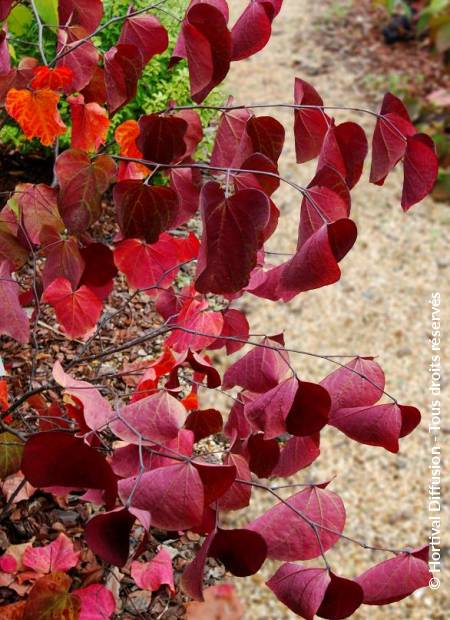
173	495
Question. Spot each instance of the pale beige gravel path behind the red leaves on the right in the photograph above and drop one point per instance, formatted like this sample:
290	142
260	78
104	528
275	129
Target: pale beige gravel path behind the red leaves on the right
379	307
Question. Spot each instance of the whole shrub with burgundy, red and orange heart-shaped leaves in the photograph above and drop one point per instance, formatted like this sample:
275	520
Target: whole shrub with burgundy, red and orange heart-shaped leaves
133	434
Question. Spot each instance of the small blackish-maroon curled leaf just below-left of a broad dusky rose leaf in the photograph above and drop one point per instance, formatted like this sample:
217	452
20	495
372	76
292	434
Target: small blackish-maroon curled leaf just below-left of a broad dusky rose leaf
108	535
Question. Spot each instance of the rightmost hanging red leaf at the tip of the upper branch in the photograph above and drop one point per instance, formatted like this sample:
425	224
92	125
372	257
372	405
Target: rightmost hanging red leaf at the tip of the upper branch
420	166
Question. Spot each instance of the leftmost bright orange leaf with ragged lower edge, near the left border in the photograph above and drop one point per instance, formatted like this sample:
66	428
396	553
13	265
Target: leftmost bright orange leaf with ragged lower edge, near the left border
37	113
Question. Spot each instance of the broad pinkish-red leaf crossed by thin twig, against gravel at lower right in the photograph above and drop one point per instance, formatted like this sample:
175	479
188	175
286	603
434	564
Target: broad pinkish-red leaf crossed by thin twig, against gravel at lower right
290	537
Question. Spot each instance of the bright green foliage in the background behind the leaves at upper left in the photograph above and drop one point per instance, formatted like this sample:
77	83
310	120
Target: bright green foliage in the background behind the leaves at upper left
156	87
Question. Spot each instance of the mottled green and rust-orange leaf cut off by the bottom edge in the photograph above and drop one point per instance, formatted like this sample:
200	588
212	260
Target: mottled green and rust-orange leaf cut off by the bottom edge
50	599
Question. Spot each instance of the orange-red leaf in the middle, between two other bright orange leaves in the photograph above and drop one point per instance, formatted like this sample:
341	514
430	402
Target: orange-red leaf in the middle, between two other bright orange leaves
90	124
